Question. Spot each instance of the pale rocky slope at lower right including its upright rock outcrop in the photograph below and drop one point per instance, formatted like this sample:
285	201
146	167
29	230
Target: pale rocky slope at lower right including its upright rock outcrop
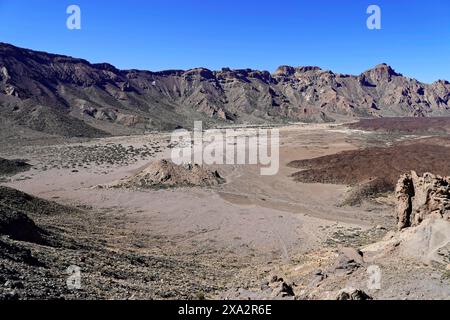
419	250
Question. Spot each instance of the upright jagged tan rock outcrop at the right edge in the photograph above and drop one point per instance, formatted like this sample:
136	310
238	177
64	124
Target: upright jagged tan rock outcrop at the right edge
420	196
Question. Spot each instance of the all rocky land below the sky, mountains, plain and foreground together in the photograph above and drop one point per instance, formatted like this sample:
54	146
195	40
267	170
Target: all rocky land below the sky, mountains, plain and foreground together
96	191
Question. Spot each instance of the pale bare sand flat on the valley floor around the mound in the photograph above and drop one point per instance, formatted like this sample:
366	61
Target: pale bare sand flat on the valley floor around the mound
265	217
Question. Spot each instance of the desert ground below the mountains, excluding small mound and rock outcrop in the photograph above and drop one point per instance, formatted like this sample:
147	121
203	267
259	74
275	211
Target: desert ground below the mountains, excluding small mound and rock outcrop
303	233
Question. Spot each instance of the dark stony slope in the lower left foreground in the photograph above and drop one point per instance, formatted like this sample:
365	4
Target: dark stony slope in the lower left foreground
40	239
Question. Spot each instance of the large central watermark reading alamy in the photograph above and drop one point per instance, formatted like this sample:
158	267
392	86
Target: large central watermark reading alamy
229	146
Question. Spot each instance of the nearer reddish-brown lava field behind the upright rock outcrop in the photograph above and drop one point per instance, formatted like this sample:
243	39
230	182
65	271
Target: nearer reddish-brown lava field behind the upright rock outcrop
383	164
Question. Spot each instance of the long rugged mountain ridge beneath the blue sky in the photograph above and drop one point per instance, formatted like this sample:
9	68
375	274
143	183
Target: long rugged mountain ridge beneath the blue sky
67	96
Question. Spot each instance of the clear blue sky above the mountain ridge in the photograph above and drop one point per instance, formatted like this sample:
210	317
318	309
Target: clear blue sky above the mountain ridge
182	34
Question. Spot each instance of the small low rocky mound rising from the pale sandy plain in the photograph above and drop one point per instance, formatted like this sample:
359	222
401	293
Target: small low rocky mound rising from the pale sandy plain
166	174
